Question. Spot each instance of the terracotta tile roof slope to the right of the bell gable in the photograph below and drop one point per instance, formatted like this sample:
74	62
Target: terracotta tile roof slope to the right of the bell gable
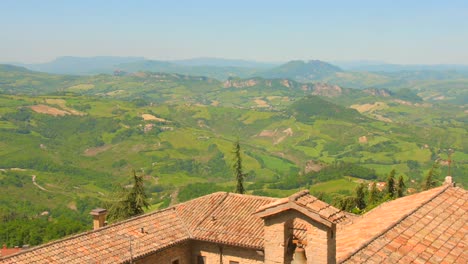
428	227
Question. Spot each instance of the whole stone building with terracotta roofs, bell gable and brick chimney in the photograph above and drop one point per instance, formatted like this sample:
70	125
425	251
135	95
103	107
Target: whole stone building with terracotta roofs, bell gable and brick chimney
427	227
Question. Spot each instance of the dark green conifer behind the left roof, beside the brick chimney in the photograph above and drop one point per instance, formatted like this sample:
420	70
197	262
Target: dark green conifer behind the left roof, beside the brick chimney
131	201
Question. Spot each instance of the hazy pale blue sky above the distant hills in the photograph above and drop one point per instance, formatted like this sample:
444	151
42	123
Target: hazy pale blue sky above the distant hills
410	31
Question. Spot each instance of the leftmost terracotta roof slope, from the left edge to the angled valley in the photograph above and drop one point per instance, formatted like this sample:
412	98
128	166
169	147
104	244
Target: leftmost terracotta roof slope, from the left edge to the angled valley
111	244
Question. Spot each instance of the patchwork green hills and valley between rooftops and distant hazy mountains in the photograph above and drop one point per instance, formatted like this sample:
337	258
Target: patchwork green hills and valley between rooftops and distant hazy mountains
67	141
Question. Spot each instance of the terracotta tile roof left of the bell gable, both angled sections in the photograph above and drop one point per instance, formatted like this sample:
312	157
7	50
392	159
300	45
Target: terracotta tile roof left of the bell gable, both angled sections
161	229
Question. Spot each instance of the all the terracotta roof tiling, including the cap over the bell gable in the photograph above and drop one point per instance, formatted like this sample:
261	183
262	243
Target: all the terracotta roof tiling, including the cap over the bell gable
431	224
